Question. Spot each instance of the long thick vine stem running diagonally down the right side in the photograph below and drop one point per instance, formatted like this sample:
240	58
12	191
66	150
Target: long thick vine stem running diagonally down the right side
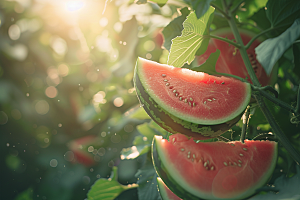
278	132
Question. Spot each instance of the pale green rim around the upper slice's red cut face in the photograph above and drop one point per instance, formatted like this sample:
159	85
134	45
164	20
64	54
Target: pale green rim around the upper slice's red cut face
186	117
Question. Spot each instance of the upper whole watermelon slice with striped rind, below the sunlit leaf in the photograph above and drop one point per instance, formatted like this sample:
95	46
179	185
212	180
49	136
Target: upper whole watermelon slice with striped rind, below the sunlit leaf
189	102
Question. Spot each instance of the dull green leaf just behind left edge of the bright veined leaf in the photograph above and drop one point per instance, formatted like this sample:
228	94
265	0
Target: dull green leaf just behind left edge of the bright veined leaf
174	28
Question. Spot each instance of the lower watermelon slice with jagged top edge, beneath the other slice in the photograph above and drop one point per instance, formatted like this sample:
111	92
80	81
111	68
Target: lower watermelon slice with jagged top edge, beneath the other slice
213	170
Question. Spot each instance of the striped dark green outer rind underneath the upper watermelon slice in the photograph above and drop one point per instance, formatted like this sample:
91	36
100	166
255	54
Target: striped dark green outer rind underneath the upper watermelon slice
172	123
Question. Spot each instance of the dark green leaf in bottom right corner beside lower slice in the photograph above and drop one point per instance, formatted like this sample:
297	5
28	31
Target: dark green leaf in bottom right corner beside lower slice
288	188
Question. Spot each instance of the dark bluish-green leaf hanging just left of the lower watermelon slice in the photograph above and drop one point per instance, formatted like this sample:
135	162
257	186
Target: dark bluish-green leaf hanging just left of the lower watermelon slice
147	182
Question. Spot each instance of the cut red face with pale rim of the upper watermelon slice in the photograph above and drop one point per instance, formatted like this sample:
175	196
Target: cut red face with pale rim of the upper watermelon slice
193	96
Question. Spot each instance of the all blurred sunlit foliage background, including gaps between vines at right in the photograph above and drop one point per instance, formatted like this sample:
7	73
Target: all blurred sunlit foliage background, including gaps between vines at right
68	108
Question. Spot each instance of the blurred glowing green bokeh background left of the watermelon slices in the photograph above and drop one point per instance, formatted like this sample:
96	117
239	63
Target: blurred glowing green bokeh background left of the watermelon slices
66	92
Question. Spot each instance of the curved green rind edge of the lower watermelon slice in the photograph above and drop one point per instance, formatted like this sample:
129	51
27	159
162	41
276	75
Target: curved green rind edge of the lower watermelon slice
183	190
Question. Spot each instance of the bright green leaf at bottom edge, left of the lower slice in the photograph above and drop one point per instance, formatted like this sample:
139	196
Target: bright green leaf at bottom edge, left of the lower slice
108	189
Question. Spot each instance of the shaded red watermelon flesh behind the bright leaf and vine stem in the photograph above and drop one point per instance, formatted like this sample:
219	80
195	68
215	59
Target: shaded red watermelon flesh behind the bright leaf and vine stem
230	60
